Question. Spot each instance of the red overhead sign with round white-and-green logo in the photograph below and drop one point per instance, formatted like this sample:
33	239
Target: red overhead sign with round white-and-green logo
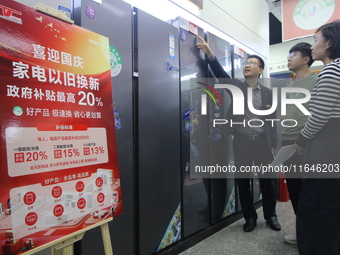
301	18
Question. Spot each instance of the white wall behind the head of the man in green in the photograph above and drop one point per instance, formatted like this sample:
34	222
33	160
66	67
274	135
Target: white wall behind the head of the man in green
278	55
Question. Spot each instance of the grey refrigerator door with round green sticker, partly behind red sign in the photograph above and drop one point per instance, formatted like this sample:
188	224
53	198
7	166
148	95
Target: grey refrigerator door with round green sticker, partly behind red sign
113	19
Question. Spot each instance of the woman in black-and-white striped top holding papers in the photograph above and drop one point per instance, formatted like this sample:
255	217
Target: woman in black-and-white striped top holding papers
318	216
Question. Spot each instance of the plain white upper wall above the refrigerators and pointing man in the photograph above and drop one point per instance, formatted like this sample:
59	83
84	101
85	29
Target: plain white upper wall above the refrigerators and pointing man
247	21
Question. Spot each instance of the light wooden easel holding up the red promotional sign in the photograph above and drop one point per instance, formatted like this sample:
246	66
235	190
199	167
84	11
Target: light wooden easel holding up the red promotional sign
64	245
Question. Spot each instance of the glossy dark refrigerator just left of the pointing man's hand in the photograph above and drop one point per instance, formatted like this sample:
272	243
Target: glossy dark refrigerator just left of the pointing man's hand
194	128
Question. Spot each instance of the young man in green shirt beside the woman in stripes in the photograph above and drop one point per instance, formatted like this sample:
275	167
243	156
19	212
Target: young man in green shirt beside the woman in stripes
299	61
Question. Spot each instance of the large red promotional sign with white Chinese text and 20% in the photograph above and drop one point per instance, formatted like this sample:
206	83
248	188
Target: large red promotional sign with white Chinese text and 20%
59	167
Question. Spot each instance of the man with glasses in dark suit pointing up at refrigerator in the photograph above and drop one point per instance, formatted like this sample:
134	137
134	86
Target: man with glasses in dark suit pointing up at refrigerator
252	144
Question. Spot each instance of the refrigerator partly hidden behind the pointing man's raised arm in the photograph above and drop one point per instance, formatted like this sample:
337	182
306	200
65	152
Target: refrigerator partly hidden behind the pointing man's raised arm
222	190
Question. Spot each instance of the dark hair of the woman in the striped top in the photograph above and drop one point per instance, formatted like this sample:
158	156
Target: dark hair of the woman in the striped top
331	31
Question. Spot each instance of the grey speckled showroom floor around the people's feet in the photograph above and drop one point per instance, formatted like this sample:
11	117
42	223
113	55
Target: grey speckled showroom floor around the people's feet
262	241
